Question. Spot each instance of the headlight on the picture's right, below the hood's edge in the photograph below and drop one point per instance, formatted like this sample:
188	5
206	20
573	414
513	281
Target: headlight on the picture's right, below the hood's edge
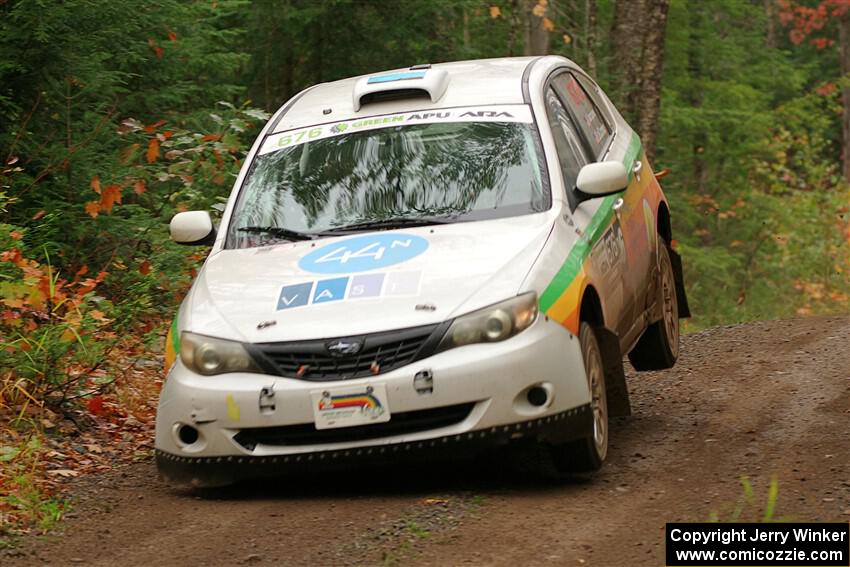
492	324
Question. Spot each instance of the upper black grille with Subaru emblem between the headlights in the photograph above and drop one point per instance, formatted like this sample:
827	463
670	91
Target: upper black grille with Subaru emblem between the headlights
381	352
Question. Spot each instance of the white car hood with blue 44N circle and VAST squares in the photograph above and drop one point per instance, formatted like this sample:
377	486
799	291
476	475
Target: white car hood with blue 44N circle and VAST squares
363	283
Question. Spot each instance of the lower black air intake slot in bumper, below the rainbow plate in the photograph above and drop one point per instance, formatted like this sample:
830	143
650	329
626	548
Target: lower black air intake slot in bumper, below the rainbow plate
399	424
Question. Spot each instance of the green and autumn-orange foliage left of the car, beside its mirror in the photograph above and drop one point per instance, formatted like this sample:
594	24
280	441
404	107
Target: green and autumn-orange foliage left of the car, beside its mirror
112	118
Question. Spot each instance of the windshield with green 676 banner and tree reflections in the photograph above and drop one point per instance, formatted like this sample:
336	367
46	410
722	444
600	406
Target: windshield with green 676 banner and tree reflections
332	177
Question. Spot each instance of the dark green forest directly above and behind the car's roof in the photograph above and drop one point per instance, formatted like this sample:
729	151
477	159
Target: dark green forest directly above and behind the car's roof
298	43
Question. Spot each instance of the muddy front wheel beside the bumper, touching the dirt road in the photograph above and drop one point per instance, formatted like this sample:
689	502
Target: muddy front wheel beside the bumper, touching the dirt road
588	454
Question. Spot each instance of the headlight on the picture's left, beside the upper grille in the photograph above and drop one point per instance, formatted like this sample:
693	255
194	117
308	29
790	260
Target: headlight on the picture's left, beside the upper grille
209	356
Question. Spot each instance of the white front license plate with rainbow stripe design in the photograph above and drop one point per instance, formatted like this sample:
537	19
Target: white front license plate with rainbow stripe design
350	406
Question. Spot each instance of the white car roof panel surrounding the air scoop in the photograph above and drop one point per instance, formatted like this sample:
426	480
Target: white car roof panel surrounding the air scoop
478	82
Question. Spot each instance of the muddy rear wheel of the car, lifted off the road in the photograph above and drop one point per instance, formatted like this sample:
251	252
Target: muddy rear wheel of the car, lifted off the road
658	347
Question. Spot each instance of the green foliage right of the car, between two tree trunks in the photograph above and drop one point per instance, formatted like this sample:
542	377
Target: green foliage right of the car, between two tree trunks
750	134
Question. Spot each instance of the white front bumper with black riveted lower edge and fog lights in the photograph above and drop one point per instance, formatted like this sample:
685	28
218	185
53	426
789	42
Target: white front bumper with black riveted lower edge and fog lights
490	382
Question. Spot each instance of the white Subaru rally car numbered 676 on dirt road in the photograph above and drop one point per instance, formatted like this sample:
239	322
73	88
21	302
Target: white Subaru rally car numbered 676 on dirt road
445	257
